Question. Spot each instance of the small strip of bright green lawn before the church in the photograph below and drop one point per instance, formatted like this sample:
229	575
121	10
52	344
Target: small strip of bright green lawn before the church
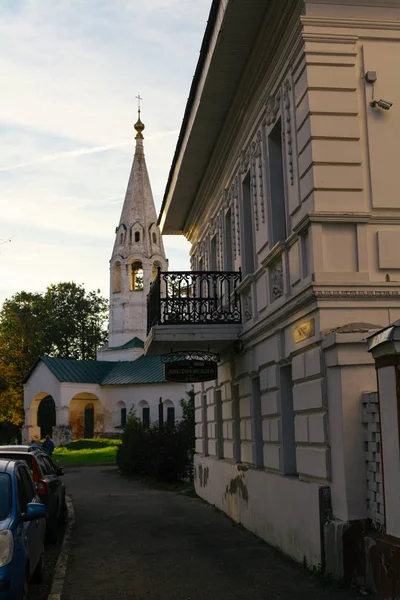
87	452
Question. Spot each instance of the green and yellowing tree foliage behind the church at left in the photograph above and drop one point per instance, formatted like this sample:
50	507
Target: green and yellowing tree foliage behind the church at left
65	321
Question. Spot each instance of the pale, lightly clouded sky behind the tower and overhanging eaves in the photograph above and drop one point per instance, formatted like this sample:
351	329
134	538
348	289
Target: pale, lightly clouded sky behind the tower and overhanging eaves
70	71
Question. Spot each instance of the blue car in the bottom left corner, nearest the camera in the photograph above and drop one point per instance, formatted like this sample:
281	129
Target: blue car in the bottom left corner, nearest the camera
22	531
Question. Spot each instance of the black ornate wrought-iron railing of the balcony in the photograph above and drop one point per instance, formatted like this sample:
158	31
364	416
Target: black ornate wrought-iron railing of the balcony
194	297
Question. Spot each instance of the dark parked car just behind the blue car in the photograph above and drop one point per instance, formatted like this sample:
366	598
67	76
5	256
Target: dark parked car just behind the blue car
47	477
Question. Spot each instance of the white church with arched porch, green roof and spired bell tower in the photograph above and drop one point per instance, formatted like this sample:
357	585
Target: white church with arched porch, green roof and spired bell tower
93	398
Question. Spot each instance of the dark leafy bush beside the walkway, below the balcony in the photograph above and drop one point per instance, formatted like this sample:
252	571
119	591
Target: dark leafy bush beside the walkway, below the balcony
160	451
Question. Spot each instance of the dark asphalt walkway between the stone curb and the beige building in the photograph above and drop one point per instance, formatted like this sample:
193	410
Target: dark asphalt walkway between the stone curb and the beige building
141	544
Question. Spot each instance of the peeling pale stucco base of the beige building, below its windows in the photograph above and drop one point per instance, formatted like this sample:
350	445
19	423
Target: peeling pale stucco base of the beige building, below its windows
283	511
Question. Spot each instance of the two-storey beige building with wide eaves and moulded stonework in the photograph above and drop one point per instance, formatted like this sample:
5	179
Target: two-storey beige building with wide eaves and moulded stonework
286	170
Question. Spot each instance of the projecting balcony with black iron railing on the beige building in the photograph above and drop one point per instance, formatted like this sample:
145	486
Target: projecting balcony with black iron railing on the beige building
192	311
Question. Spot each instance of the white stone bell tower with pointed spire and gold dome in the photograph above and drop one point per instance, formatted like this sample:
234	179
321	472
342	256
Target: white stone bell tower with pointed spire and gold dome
138	251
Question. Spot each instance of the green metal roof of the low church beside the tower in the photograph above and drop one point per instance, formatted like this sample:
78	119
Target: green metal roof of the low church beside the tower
146	369
